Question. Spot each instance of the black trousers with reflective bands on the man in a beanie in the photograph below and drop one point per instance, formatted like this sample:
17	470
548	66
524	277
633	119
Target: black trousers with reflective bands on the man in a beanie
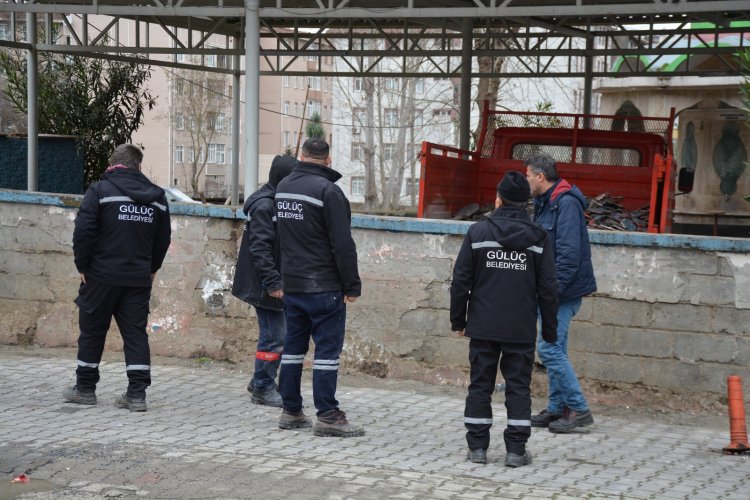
516	364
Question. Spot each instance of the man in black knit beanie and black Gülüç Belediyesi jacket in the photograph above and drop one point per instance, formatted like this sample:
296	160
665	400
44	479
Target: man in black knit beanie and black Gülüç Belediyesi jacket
504	273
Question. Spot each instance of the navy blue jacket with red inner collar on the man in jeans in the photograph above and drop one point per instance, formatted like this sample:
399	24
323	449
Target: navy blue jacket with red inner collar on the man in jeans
560	212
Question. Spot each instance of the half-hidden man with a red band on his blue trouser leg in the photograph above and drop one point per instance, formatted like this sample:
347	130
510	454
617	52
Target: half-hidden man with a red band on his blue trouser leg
257	281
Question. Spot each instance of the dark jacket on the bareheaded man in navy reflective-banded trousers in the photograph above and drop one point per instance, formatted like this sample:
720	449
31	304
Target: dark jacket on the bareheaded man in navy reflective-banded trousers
318	253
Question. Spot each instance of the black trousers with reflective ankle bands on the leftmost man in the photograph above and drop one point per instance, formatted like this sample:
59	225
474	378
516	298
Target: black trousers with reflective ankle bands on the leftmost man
98	303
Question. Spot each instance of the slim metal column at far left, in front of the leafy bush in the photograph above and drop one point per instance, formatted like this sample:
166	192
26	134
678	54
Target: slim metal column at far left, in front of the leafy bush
32	68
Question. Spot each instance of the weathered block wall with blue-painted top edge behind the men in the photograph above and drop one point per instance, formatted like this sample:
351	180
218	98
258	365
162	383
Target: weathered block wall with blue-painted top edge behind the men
671	311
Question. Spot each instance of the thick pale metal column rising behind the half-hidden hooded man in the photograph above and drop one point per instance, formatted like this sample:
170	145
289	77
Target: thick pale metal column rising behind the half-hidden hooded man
252	94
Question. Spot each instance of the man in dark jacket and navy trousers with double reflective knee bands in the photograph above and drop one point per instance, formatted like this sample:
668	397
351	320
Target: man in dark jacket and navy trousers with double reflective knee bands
319	271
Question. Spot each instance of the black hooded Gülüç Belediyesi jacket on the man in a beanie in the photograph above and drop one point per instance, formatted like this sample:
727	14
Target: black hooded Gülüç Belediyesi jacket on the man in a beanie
504	271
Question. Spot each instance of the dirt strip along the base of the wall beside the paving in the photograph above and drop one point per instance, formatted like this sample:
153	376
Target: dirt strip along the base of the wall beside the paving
633	401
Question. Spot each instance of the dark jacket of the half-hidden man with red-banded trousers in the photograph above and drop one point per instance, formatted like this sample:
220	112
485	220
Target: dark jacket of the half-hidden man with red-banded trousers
257	270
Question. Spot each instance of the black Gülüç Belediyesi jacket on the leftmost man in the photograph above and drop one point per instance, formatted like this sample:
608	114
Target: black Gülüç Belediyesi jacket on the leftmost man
122	230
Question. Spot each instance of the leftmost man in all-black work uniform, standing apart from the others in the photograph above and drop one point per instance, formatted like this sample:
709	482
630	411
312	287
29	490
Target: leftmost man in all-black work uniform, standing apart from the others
121	236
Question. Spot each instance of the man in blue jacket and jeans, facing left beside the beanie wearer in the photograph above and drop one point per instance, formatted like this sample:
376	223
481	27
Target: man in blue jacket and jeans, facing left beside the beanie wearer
558	208
